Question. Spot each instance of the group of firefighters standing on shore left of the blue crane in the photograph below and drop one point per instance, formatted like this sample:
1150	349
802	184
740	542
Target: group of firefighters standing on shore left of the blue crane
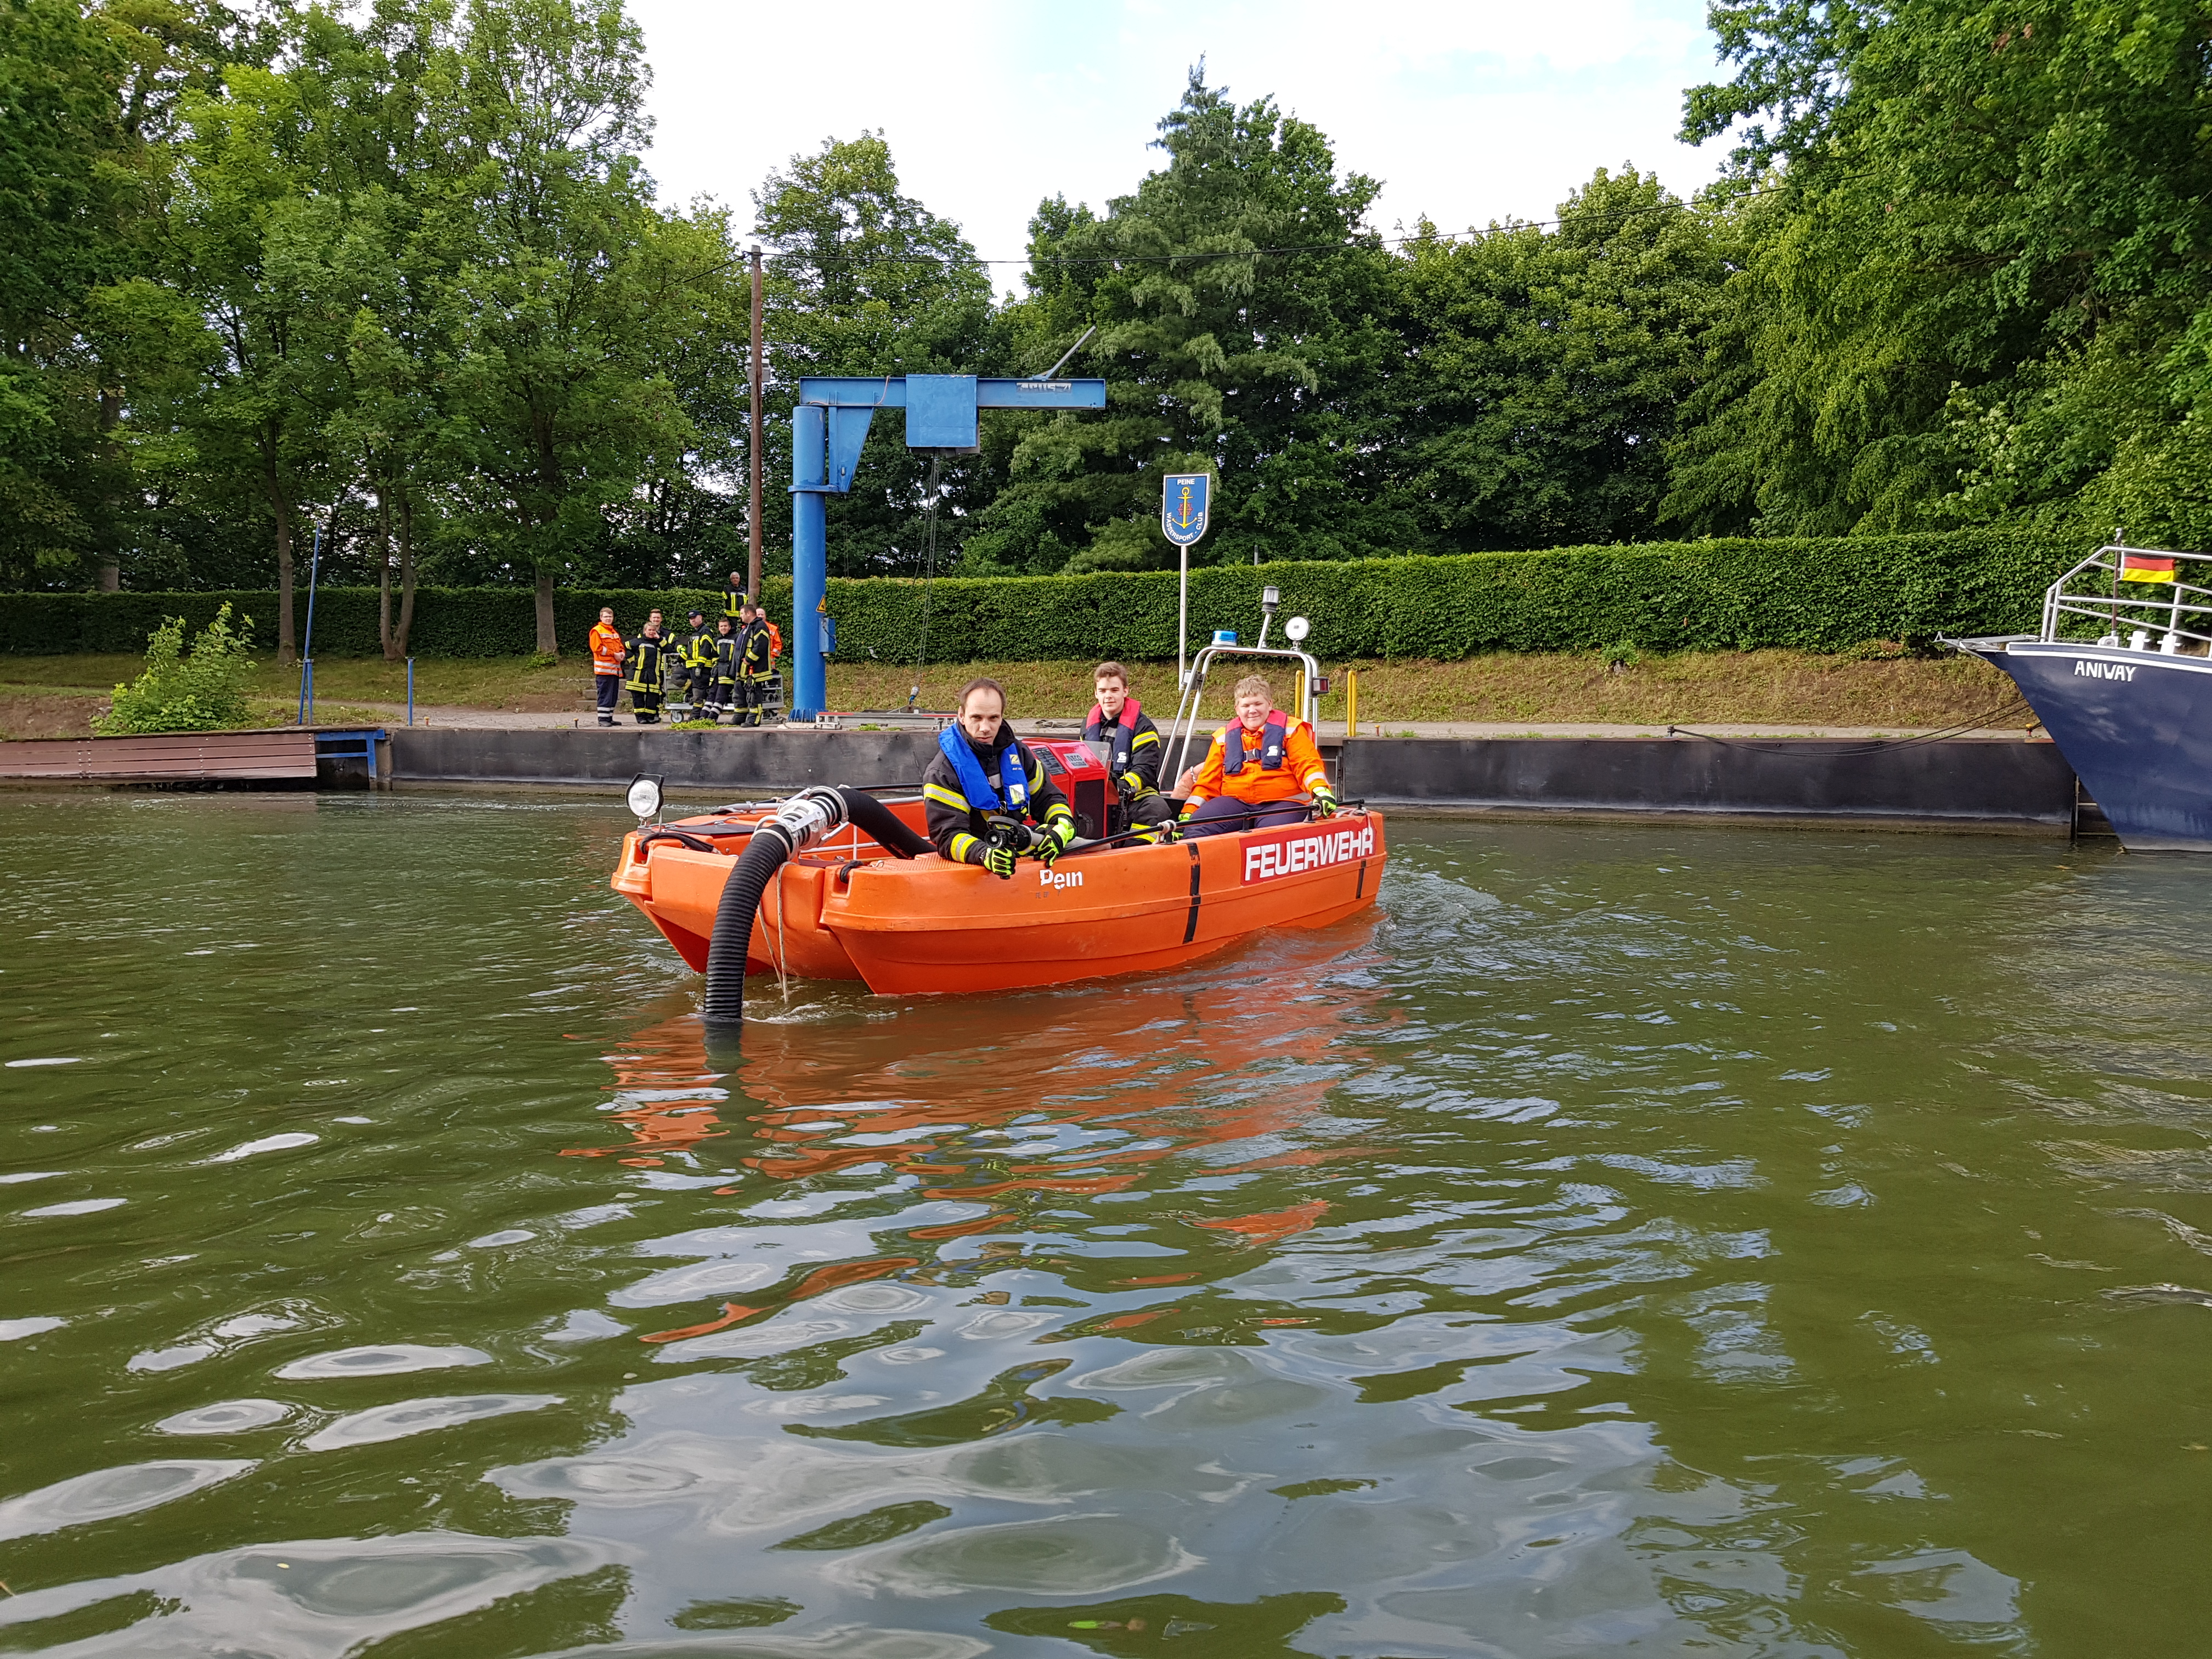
702	676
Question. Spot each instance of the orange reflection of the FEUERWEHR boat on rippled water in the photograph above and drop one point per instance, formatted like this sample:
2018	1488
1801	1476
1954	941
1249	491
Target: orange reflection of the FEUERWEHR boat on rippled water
1138	1083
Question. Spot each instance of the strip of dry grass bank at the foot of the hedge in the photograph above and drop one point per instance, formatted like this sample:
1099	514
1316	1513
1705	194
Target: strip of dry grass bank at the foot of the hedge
65	696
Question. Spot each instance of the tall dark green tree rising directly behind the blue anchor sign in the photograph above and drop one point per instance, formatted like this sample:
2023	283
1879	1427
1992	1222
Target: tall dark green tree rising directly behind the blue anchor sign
1222	359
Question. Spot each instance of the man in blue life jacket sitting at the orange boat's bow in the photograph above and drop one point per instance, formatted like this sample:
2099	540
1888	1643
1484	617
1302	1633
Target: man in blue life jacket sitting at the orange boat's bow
988	797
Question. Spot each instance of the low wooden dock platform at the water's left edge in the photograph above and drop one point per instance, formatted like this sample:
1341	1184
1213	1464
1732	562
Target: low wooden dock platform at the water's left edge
280	755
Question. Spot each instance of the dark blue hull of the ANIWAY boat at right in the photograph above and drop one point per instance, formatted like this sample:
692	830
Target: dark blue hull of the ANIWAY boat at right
2133	724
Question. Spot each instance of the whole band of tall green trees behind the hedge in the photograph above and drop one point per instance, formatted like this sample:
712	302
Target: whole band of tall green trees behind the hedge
395	273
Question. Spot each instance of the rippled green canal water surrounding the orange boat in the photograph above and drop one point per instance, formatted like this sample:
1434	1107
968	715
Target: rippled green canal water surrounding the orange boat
1627	1242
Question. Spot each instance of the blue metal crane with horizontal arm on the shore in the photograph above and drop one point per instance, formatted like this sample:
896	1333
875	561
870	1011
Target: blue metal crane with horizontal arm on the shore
828	430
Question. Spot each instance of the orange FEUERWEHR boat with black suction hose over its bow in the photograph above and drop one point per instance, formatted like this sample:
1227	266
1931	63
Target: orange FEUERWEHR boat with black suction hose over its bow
835	884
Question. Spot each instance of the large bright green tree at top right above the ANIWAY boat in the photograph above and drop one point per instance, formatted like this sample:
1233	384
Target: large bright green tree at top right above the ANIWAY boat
1983	286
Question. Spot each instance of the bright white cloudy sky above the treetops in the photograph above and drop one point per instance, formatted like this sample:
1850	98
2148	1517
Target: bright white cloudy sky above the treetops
1468	112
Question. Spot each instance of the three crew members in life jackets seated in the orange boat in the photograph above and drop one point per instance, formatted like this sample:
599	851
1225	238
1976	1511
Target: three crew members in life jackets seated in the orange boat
992	802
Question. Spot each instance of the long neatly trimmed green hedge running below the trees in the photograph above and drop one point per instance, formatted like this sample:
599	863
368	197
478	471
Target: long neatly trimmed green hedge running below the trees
1658	596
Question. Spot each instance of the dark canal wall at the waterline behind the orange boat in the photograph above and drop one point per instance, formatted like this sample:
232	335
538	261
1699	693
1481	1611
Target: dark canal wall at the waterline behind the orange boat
1954	784
